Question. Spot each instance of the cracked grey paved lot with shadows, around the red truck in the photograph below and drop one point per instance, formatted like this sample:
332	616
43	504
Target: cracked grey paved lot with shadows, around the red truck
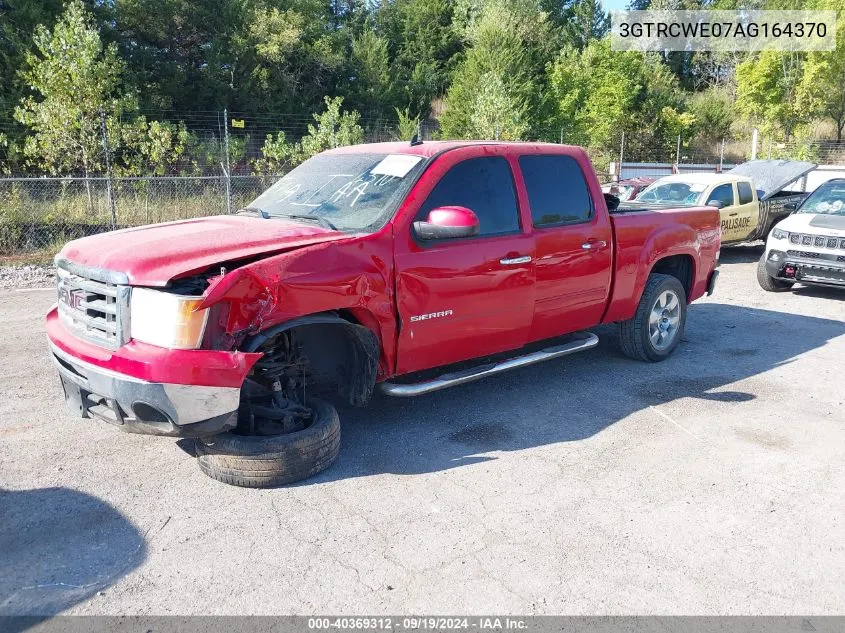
711	483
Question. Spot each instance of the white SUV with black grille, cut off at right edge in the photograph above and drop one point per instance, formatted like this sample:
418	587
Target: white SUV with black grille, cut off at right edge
808	247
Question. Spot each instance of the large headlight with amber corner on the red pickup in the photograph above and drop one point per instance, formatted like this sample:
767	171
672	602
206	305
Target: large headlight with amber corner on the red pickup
166	319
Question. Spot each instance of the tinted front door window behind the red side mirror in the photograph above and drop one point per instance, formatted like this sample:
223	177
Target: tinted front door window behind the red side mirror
484	185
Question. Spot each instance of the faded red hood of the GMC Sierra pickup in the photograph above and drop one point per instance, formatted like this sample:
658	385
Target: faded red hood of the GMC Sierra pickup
153	255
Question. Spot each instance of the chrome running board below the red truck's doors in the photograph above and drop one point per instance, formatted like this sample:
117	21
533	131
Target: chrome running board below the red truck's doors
583	341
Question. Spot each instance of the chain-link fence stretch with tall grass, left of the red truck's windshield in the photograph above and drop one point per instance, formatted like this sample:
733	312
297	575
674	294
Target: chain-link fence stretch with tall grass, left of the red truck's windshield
41	214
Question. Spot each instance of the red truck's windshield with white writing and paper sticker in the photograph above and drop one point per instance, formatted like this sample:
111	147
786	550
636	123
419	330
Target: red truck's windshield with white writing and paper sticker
349	192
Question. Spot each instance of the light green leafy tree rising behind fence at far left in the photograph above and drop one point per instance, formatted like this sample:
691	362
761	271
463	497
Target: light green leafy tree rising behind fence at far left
73	78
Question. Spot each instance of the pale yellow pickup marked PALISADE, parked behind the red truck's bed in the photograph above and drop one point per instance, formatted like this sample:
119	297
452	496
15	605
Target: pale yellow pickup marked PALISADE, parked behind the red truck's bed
750	197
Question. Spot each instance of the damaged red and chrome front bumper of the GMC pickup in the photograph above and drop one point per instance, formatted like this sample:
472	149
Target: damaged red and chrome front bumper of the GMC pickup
151	402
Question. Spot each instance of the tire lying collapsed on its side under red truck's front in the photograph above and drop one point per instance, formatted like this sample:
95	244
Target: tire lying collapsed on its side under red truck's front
255	461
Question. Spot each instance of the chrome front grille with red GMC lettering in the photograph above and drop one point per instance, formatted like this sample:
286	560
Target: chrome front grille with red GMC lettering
93	310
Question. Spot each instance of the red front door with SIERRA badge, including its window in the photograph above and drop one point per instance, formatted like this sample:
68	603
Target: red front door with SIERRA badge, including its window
466	297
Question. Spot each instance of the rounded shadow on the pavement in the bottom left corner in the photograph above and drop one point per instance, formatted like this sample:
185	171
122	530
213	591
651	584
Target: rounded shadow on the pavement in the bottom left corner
59	547
